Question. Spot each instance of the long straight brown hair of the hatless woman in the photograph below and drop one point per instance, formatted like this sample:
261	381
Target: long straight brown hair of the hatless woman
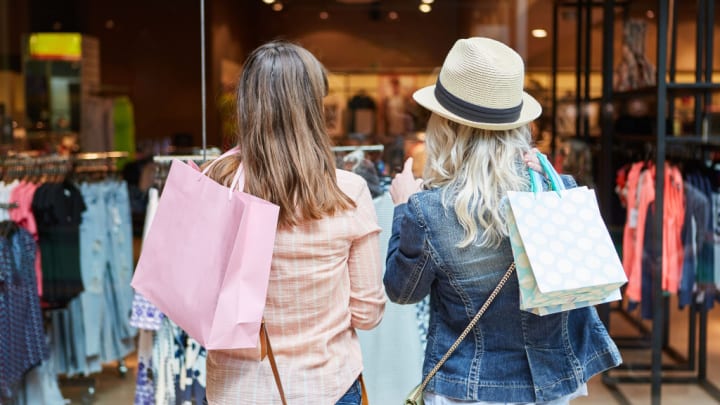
284	146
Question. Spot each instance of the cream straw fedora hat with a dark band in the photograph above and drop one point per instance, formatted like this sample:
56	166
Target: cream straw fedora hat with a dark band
481	85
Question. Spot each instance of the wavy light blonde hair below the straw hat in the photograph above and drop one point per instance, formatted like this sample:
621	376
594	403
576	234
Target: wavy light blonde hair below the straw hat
476	167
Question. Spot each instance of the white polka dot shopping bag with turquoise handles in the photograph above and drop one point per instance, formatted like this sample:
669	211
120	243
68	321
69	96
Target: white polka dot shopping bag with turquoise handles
564	255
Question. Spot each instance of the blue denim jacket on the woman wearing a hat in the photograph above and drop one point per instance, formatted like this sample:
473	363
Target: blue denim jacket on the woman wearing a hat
510	355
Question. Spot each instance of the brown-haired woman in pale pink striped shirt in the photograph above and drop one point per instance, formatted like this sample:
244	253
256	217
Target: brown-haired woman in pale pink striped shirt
325	279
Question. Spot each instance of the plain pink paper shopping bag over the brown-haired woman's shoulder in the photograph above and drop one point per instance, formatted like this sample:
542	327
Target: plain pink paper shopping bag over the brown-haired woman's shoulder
205	261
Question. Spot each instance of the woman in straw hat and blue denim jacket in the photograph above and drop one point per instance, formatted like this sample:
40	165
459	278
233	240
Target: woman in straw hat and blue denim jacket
450	240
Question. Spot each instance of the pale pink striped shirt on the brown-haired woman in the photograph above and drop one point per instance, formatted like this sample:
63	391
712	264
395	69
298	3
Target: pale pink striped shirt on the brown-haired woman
325	281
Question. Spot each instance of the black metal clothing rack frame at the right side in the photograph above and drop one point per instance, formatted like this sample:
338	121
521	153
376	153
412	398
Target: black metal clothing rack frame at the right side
657	338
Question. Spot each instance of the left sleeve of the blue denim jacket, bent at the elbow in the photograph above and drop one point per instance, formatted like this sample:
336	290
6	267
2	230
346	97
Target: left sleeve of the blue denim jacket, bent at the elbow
409	268
